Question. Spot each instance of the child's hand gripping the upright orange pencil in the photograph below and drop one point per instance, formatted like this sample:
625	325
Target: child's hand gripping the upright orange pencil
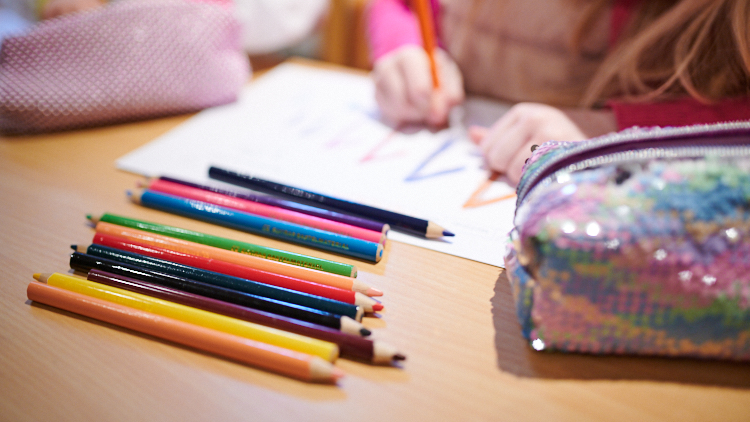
404	91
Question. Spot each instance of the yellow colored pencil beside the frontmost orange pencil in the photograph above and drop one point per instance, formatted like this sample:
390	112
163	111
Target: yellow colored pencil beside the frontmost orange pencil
323	349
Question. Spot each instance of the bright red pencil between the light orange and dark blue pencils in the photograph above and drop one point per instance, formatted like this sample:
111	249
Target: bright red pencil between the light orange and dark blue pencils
355	298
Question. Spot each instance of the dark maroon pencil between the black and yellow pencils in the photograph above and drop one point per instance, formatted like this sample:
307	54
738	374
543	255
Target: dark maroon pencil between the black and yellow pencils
350	346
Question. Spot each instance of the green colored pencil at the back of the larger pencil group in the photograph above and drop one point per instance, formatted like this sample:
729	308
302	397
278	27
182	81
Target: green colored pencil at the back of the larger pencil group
230	244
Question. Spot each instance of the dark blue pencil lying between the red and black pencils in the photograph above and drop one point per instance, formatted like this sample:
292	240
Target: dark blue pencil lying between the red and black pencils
249	286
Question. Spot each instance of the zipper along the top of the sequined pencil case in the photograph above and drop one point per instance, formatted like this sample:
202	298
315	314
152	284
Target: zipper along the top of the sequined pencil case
723	139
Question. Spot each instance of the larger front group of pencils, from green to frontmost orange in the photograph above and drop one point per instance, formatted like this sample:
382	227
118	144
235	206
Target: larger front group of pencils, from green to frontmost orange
288	313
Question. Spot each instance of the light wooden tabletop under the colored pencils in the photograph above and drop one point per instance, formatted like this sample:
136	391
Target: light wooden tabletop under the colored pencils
453	318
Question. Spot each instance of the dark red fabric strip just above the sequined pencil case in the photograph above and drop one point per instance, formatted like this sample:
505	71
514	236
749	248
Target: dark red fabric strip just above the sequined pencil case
681	112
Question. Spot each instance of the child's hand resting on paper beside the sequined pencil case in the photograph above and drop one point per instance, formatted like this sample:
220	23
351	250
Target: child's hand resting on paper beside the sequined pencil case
507	144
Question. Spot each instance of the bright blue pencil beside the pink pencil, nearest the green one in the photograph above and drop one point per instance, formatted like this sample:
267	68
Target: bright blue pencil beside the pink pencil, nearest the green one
263	226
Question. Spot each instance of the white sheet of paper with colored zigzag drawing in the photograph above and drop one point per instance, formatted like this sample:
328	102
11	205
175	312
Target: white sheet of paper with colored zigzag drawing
319	130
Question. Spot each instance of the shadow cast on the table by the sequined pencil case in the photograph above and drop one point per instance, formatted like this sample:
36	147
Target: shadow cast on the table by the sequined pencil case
515	356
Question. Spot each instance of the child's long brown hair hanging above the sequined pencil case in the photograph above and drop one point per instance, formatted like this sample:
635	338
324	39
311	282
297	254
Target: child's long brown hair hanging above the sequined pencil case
673	48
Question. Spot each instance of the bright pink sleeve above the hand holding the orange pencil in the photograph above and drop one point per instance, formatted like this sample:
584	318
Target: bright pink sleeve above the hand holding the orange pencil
390	24
